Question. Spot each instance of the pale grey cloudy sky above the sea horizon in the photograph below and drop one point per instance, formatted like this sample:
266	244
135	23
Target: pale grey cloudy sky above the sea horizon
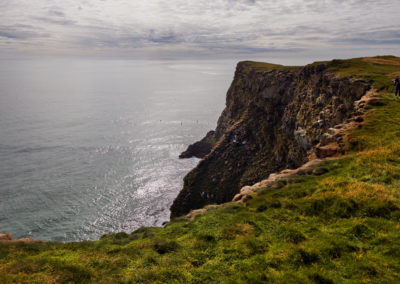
199	28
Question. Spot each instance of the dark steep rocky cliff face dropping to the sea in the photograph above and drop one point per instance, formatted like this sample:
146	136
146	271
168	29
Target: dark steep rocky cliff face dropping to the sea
274	119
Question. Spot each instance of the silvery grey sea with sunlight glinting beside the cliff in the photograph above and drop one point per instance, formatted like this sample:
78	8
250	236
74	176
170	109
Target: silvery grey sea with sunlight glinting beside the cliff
89	147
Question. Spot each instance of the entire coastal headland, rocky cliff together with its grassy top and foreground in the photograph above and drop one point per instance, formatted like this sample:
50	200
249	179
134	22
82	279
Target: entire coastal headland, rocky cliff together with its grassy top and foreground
298	183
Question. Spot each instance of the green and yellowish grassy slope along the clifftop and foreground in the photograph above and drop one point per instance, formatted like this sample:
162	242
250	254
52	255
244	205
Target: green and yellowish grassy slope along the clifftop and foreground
342	226
